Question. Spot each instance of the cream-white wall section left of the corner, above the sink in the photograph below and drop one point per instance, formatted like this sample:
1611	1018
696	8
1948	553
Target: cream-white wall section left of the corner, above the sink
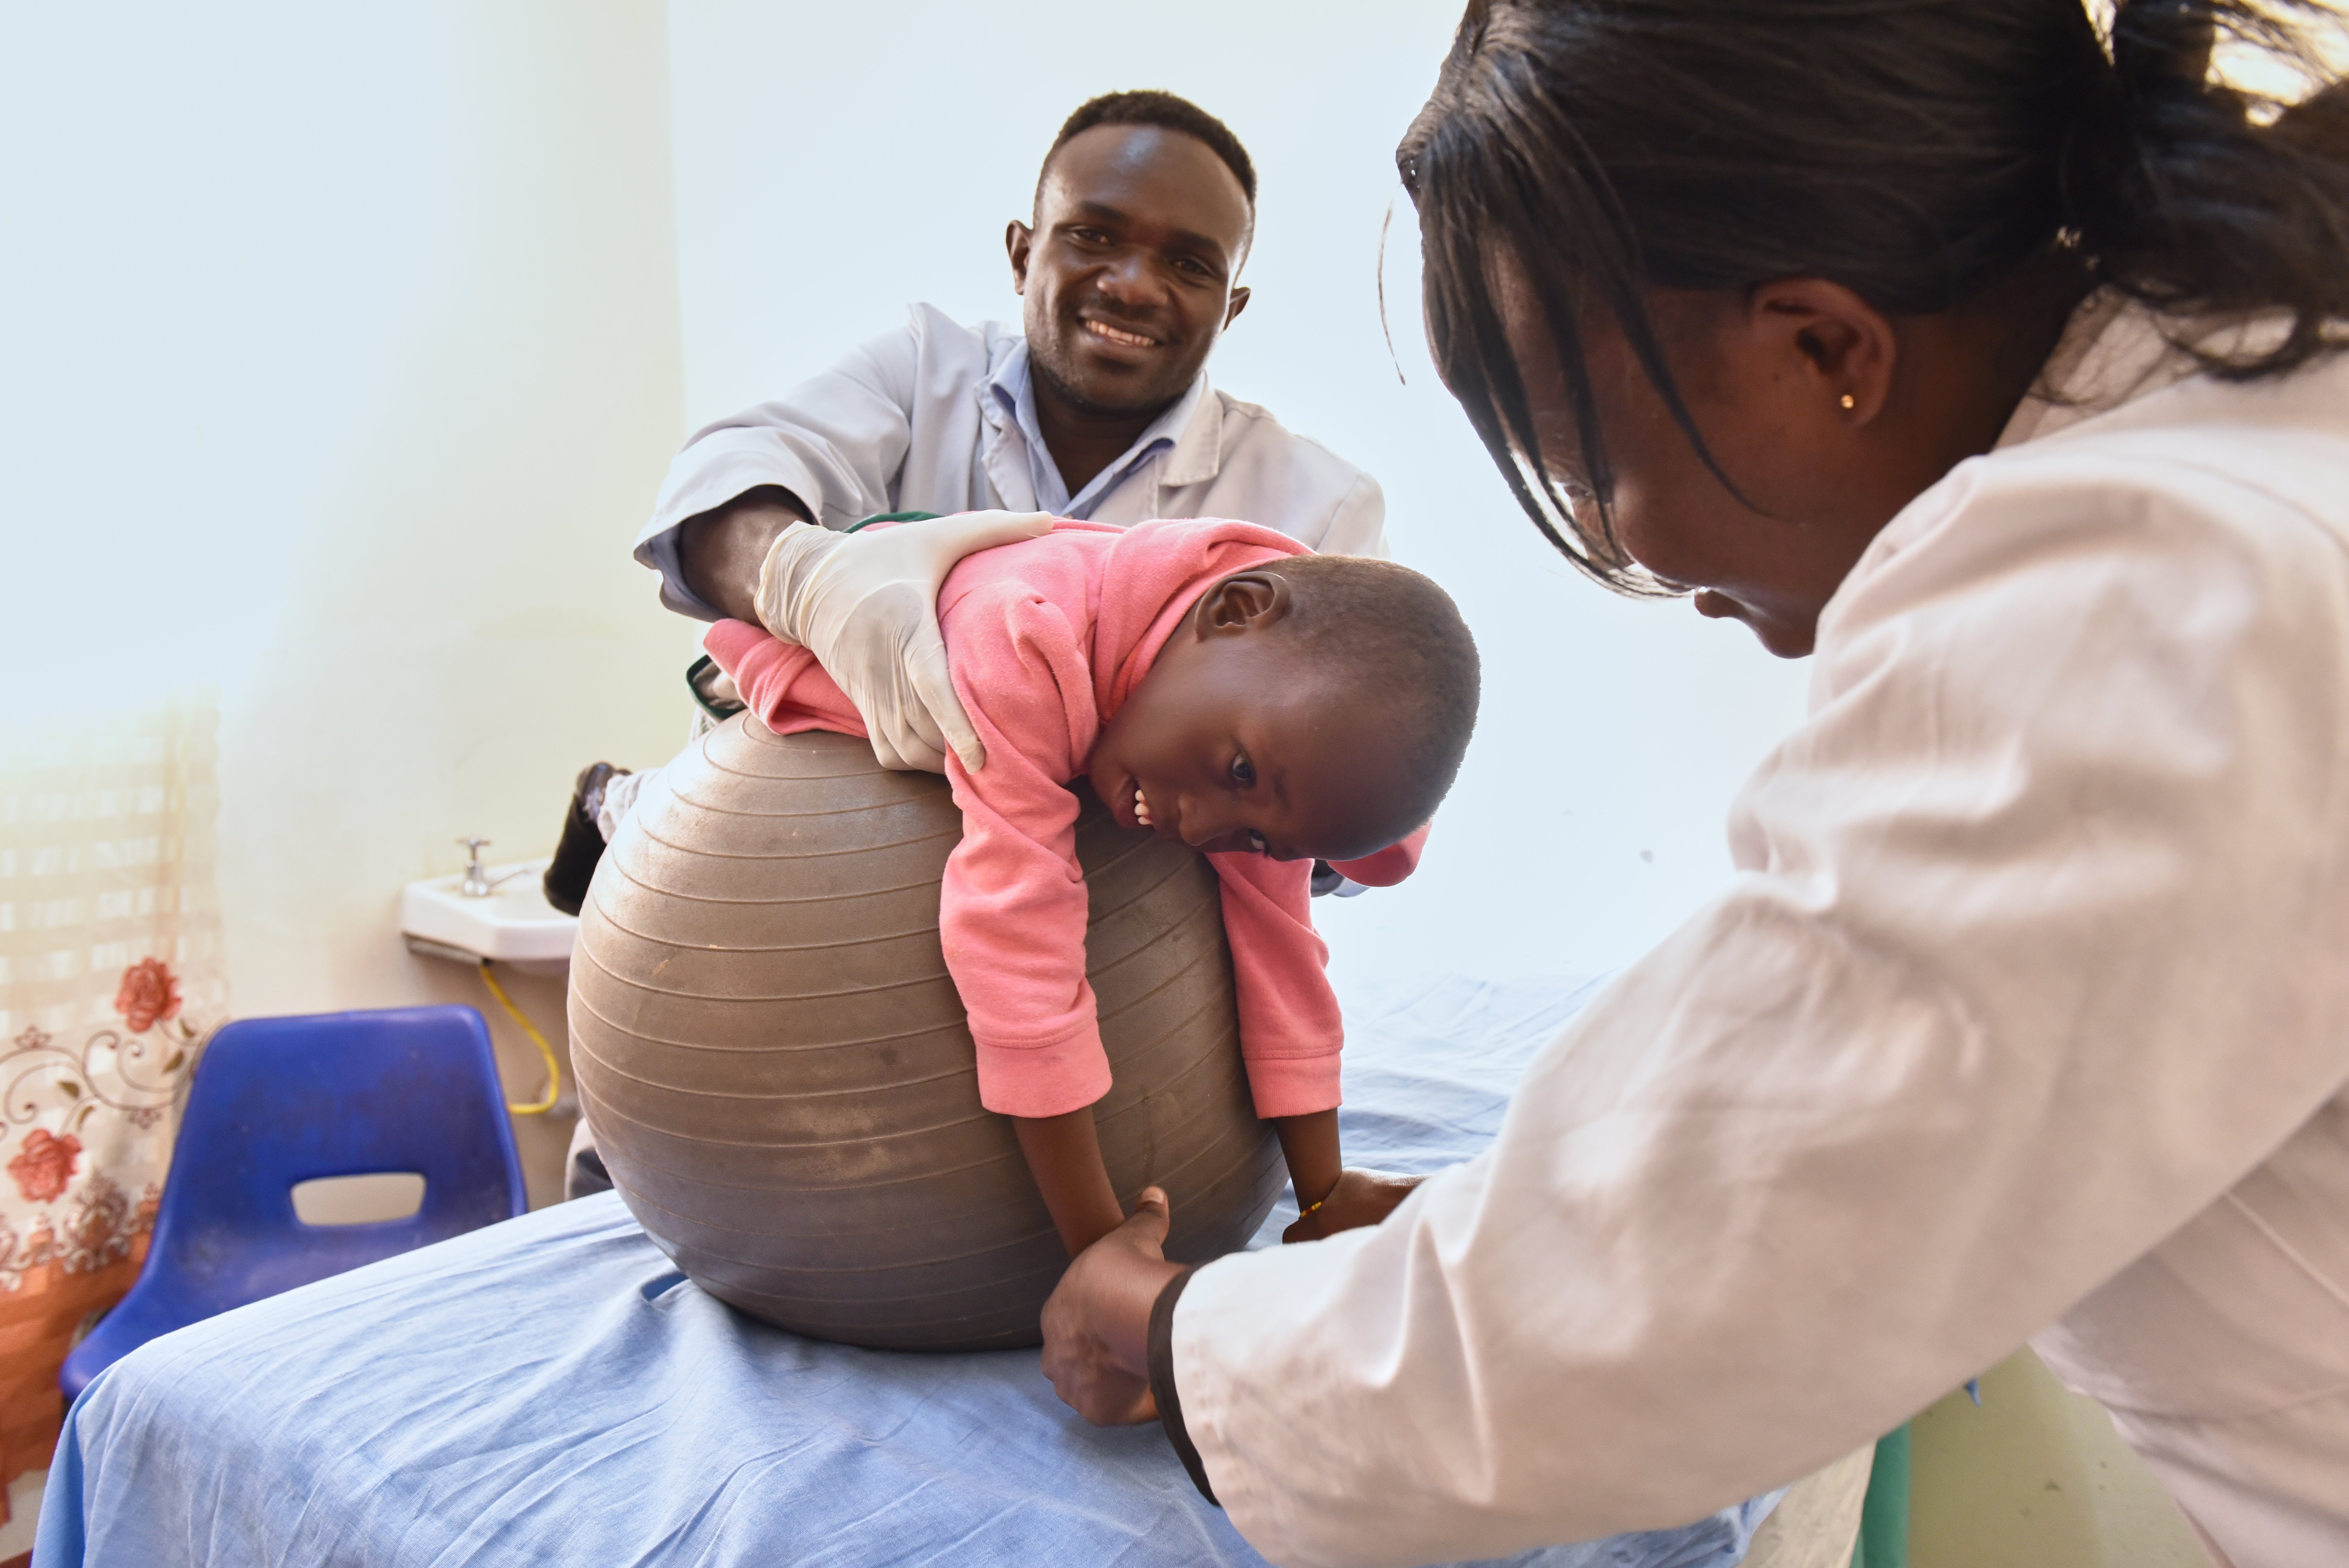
339	363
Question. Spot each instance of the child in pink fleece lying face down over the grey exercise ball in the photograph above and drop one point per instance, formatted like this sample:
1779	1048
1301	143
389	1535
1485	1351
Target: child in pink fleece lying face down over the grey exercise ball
1216	684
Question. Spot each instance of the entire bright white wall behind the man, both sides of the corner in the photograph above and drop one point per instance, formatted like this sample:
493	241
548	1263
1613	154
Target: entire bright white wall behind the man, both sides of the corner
342	356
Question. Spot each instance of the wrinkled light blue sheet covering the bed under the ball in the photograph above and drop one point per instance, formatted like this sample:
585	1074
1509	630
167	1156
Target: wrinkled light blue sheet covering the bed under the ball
551	1391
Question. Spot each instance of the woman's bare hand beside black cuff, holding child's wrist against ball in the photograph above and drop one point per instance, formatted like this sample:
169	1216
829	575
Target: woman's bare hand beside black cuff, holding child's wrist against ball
1098	1323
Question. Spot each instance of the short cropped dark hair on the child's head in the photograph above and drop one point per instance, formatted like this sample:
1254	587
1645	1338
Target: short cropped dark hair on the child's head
1394	633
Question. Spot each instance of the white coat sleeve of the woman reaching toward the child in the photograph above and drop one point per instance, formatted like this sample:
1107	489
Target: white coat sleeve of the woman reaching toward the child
2033	954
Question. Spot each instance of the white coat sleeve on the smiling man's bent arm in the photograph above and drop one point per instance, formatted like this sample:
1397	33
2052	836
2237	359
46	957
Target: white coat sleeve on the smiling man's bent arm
835	442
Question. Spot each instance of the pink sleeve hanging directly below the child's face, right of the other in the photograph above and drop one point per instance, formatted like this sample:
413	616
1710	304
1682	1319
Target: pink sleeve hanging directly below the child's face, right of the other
1291	1029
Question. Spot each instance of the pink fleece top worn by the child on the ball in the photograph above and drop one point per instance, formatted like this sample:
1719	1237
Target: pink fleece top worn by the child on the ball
1046	642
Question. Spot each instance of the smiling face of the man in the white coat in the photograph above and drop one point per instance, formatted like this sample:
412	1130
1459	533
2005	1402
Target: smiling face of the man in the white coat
1129	266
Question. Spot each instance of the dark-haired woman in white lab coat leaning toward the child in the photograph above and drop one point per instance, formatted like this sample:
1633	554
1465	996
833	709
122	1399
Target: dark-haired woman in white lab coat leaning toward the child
1991	360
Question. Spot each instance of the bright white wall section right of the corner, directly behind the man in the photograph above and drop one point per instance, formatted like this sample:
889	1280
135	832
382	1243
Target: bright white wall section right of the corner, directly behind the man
835	163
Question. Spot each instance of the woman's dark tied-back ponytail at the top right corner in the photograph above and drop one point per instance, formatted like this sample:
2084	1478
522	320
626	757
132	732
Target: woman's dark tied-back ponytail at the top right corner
2212	201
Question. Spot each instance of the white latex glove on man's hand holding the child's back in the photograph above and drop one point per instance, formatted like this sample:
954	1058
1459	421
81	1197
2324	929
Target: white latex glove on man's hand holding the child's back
866	604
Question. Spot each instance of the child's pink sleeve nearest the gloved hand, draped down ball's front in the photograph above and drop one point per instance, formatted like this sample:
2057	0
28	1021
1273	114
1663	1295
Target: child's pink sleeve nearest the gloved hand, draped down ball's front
1014	907
